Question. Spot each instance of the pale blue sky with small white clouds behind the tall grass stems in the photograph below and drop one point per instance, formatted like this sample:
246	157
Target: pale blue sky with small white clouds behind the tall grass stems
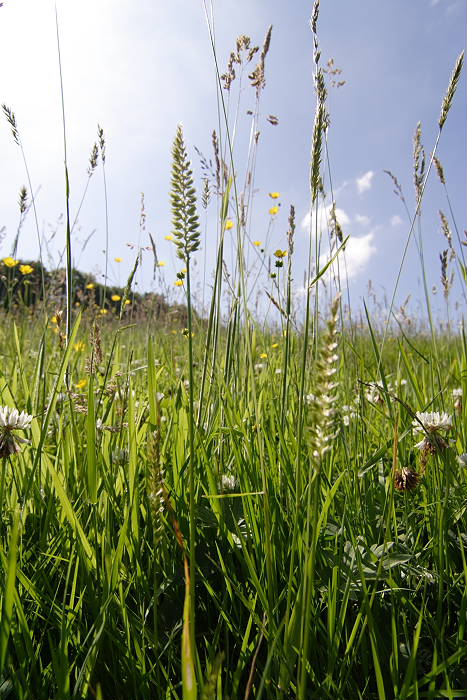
140	68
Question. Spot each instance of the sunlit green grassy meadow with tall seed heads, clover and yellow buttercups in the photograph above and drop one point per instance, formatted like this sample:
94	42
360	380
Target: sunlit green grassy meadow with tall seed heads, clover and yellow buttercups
216	507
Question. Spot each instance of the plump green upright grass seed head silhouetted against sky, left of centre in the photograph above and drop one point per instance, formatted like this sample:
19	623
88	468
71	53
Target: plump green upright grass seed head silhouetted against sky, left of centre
185	220
